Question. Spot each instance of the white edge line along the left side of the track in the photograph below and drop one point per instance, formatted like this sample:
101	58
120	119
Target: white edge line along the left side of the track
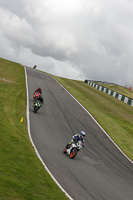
28	126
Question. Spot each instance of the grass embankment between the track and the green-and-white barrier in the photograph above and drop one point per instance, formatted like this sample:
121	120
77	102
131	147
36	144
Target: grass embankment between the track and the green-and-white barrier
116	117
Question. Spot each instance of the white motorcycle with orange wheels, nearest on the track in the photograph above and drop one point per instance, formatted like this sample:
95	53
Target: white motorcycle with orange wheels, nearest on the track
72	149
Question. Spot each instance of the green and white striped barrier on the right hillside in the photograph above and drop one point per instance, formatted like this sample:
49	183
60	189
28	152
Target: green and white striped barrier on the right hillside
110	92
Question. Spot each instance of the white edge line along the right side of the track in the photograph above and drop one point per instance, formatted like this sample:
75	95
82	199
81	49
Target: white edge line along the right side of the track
95	121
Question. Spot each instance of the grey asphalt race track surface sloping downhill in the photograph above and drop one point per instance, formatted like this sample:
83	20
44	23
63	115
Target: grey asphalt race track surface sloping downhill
100	171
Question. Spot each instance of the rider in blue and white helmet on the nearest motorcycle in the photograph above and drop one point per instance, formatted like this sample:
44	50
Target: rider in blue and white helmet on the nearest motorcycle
76	138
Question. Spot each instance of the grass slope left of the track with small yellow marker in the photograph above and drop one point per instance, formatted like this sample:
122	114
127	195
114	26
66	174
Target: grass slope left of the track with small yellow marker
22	175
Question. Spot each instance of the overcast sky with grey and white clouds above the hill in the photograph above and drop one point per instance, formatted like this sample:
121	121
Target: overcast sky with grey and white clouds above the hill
77	39
